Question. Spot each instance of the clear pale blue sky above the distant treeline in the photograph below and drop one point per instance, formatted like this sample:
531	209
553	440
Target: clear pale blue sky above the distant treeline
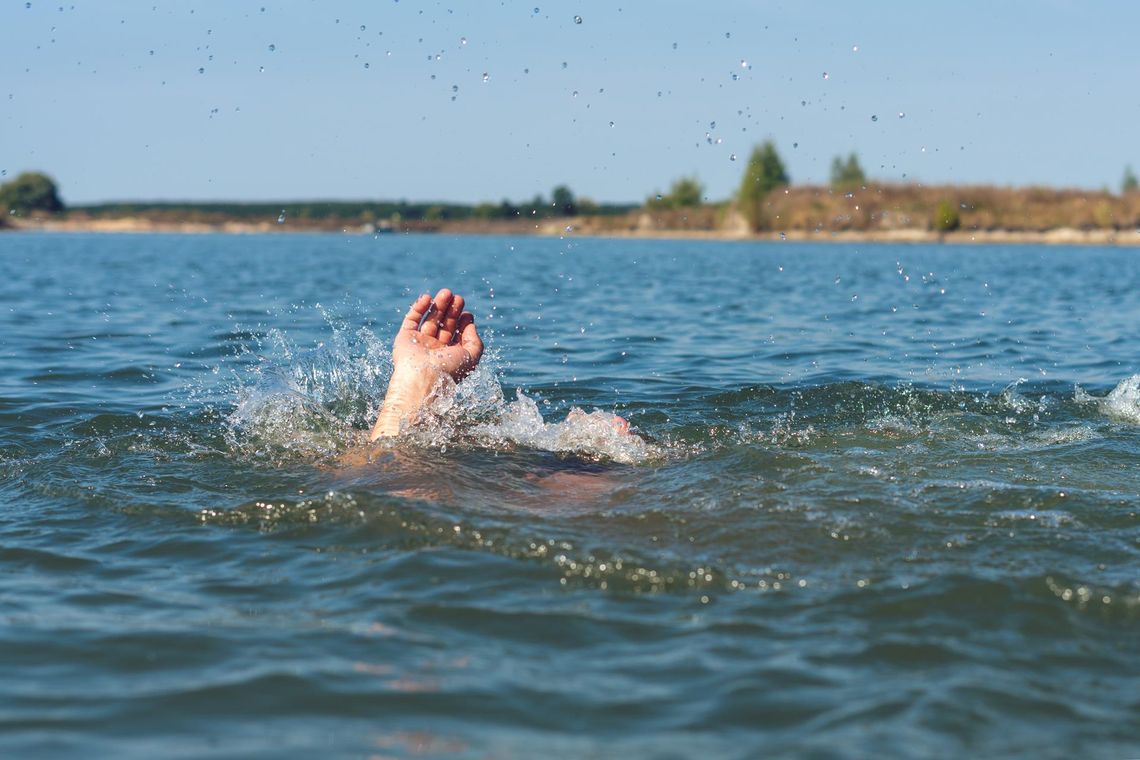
474	102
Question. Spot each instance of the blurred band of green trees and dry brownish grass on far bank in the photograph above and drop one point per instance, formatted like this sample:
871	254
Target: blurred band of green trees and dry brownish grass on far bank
767	201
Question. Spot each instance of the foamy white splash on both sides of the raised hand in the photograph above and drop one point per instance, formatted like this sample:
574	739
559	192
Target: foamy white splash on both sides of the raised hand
317	404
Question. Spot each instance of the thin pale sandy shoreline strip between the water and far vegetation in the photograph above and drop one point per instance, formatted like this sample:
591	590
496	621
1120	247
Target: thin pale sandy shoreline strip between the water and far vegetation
582	227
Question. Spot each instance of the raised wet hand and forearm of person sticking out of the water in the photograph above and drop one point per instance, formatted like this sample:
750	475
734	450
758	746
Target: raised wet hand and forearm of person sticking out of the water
437	340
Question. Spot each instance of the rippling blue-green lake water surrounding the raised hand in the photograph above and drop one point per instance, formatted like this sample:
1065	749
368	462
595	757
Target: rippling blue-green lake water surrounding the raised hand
886	503
